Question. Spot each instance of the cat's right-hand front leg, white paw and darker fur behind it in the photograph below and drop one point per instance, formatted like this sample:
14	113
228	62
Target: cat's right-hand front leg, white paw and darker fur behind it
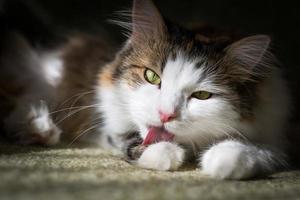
235	160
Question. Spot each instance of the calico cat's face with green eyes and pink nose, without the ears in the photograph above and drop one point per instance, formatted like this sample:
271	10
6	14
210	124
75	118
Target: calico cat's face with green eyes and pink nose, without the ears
170	85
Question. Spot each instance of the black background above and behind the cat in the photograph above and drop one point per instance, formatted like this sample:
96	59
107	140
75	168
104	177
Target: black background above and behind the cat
279	19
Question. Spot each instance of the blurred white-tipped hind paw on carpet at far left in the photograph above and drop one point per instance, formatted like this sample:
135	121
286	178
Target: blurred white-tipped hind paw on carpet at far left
40	128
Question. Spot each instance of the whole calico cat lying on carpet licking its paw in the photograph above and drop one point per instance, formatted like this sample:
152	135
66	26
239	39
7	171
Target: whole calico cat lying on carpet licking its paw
168	96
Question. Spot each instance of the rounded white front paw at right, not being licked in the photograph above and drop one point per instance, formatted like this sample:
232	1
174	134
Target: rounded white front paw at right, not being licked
230	160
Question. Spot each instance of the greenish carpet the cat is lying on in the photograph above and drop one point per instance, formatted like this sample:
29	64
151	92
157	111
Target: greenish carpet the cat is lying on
91	173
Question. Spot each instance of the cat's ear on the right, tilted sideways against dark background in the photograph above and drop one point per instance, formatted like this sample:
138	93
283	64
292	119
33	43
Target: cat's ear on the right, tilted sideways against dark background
250	55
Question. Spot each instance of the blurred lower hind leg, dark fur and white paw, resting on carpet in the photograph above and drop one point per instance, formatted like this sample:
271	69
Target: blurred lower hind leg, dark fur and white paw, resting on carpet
32	124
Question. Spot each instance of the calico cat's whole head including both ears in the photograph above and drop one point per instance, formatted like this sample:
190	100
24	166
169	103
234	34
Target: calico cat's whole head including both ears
170	78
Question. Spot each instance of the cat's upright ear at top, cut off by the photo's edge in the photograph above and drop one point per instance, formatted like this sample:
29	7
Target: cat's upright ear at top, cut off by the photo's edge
147	22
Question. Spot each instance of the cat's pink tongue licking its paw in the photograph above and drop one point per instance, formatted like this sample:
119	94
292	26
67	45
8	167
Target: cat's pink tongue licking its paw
156	134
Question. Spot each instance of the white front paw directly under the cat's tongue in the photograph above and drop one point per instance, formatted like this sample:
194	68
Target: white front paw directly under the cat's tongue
162	156
